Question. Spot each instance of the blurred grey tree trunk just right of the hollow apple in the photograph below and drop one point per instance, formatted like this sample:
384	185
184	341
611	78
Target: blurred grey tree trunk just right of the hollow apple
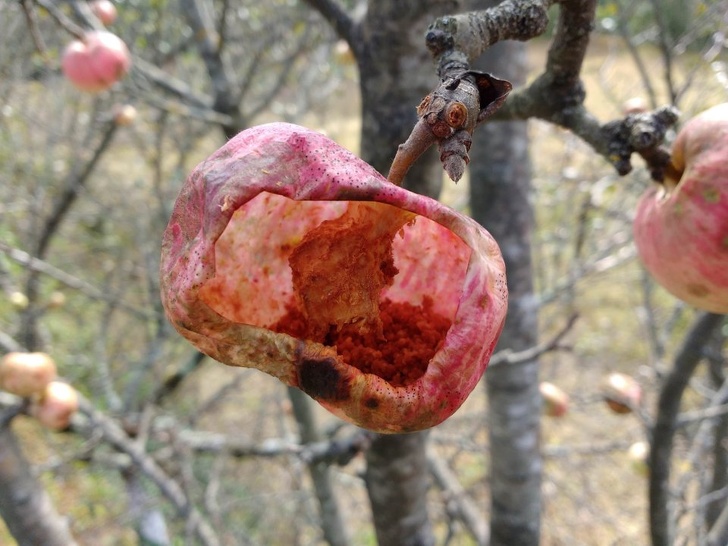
500	181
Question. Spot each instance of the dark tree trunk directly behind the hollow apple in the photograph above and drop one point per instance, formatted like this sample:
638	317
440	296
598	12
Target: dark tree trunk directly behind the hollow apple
395	74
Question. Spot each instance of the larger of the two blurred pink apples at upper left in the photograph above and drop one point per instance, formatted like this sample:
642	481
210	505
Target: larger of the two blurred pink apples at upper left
97	62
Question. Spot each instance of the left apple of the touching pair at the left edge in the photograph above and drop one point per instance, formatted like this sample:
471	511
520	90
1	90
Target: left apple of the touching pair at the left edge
26	374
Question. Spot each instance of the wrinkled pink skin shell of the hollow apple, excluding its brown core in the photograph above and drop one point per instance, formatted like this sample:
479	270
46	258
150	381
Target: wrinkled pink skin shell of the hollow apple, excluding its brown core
225	276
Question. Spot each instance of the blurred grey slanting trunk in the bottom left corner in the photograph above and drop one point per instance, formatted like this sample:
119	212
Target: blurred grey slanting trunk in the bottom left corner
24	504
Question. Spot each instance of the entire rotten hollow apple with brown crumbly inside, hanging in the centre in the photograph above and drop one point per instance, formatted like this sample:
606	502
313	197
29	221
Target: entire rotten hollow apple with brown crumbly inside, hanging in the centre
289	254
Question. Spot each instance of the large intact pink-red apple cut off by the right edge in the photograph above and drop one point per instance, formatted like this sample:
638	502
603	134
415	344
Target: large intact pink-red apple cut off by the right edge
681	227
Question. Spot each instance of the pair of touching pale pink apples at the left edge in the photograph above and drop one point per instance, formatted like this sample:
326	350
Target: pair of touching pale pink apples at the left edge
34	376
